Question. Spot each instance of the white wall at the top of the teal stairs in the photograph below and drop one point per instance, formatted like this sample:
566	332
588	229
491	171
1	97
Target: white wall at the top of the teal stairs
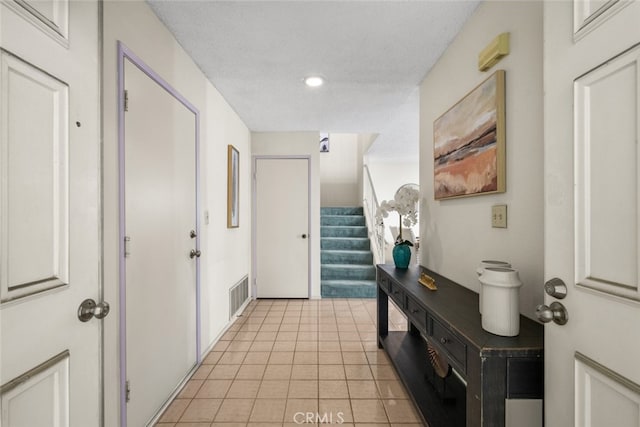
341	171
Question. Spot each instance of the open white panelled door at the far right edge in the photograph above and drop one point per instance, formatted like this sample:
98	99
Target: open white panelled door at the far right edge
592	207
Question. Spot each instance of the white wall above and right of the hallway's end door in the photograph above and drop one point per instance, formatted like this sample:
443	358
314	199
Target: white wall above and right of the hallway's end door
298	143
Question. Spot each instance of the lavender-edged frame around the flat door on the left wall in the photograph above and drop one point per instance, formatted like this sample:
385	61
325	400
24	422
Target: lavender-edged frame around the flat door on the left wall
124	53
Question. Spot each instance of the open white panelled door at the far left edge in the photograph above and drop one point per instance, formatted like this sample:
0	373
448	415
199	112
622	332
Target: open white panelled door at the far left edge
50	371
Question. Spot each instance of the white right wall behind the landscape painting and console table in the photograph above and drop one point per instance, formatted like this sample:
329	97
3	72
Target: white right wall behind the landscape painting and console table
457	234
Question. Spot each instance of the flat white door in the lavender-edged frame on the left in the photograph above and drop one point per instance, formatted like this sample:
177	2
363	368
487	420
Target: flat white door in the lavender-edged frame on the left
160	202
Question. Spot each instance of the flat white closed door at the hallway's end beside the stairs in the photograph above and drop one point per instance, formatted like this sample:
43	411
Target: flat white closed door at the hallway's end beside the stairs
281	227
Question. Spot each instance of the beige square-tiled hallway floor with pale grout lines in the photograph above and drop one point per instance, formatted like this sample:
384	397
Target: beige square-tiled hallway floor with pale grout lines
296	362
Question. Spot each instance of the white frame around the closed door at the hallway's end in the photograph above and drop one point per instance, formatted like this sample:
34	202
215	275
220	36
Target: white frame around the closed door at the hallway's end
254	212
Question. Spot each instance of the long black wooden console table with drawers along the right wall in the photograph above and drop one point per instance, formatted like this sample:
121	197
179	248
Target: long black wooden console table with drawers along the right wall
503	375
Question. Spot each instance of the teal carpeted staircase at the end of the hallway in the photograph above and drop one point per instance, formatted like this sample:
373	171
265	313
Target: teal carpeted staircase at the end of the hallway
347	269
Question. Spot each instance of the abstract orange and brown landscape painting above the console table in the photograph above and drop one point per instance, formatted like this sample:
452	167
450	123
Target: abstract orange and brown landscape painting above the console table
469	143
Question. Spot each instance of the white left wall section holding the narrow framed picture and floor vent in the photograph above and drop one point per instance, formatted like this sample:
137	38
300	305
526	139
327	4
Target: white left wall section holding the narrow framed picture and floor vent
226	251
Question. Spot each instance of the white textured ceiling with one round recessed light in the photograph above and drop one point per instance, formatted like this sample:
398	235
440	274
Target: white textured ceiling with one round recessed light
373	55
